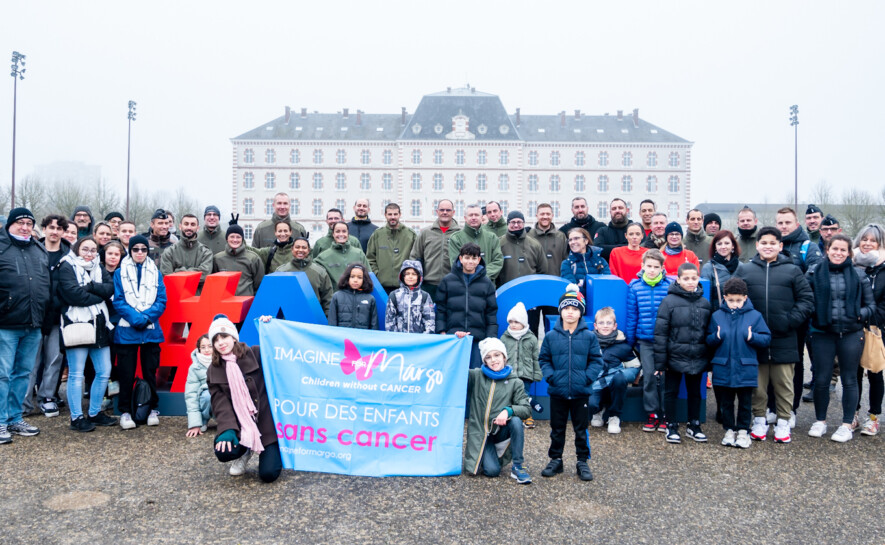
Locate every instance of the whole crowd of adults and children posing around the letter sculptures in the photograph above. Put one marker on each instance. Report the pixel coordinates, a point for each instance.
(91, 294)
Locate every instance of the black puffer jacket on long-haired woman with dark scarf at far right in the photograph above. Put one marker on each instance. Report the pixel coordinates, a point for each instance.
(840, 322)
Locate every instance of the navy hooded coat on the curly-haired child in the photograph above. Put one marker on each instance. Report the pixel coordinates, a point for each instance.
(736, 363)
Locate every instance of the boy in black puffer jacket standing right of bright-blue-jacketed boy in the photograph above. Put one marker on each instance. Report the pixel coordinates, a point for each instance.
(681, 350)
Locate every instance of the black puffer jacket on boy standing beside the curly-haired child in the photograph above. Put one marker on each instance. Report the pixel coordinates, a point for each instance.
(681, 331)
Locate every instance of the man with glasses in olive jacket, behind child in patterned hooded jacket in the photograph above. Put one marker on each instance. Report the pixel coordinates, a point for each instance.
(431, 247)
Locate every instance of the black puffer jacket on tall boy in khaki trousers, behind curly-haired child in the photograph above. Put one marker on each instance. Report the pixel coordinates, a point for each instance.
(781, 293)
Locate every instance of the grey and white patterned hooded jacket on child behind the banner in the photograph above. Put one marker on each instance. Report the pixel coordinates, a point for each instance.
(410, 310)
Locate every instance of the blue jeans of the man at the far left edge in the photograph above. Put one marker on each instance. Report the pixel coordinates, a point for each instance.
(18, 353)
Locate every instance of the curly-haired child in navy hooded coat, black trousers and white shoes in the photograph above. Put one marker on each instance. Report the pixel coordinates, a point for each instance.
(736, 332)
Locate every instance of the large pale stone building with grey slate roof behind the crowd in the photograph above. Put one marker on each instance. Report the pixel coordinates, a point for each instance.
(459, 144)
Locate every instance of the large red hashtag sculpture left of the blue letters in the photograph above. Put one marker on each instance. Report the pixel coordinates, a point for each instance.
(185, 307)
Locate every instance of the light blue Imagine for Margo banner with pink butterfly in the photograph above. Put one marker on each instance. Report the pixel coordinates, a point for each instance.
(369, 403)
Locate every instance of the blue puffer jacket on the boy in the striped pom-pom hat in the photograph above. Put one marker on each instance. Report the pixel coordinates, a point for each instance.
(570, 362)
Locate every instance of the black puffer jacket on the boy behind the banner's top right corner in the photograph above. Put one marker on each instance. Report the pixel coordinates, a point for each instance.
(467, 305)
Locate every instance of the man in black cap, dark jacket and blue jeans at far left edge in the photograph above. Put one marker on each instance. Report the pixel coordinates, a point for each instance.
(24, 296)
